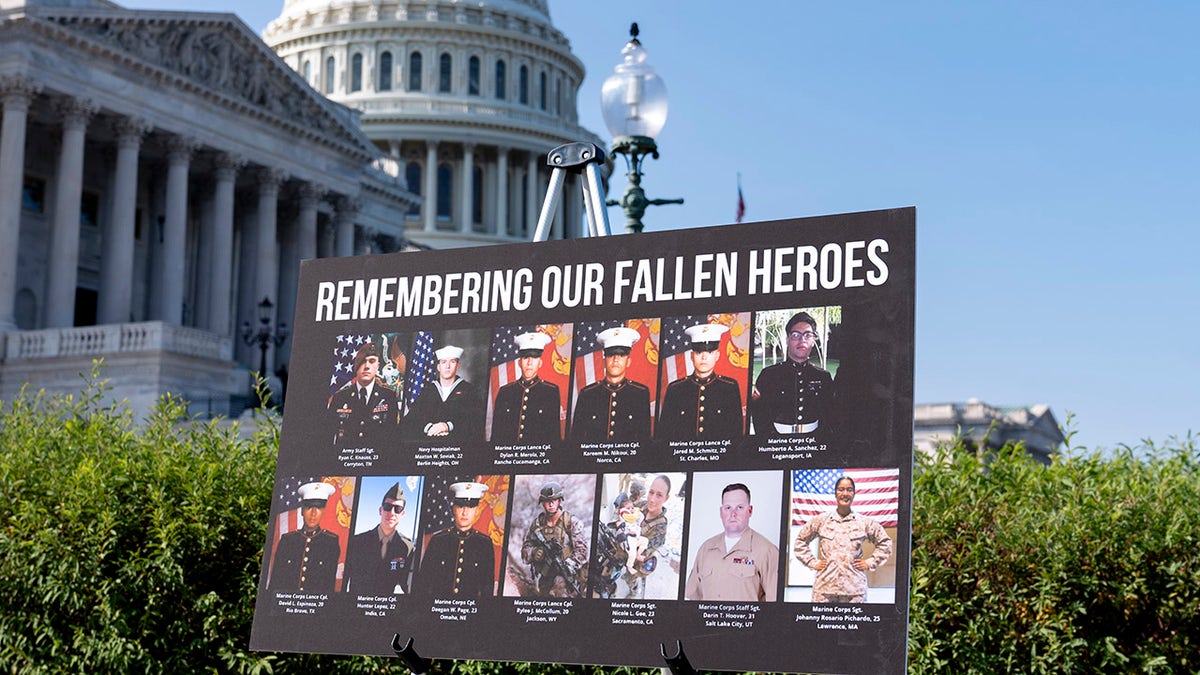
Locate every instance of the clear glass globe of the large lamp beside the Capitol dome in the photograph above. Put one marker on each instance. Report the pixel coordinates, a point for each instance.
(634, 99)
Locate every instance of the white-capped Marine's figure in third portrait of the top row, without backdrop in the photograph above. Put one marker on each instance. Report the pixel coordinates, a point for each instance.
(529, 411)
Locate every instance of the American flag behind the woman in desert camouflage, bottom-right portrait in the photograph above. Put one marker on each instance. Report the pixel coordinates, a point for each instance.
(877, 493)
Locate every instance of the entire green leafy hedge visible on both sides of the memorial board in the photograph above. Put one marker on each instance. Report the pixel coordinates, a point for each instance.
(136, 546)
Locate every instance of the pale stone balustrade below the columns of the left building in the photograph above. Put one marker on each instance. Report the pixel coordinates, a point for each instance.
(117, 338)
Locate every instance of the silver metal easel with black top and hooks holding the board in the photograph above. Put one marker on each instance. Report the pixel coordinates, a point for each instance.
(581, 159)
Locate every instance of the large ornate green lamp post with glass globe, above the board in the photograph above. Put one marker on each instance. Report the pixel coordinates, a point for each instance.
(634, 103)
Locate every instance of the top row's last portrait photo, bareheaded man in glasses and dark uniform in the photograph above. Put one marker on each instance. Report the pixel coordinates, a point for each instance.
(793, 398)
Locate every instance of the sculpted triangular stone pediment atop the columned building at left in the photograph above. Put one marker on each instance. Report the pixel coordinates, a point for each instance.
(219, 55)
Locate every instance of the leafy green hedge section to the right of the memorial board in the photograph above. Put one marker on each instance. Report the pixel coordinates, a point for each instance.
(1089, 565)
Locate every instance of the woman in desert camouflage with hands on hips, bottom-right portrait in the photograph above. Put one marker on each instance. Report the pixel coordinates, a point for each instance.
(842, 570)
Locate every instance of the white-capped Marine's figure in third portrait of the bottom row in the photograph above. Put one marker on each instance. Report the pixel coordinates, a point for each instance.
(461, 560)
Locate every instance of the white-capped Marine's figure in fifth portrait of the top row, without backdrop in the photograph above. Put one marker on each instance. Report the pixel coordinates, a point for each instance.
(703, 405)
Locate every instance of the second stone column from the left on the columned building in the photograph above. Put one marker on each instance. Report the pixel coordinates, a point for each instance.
(64, 264)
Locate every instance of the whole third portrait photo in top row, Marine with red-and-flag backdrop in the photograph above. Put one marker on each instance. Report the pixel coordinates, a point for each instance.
(527, 405)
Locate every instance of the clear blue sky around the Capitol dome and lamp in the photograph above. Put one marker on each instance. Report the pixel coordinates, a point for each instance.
(1052, 150)
